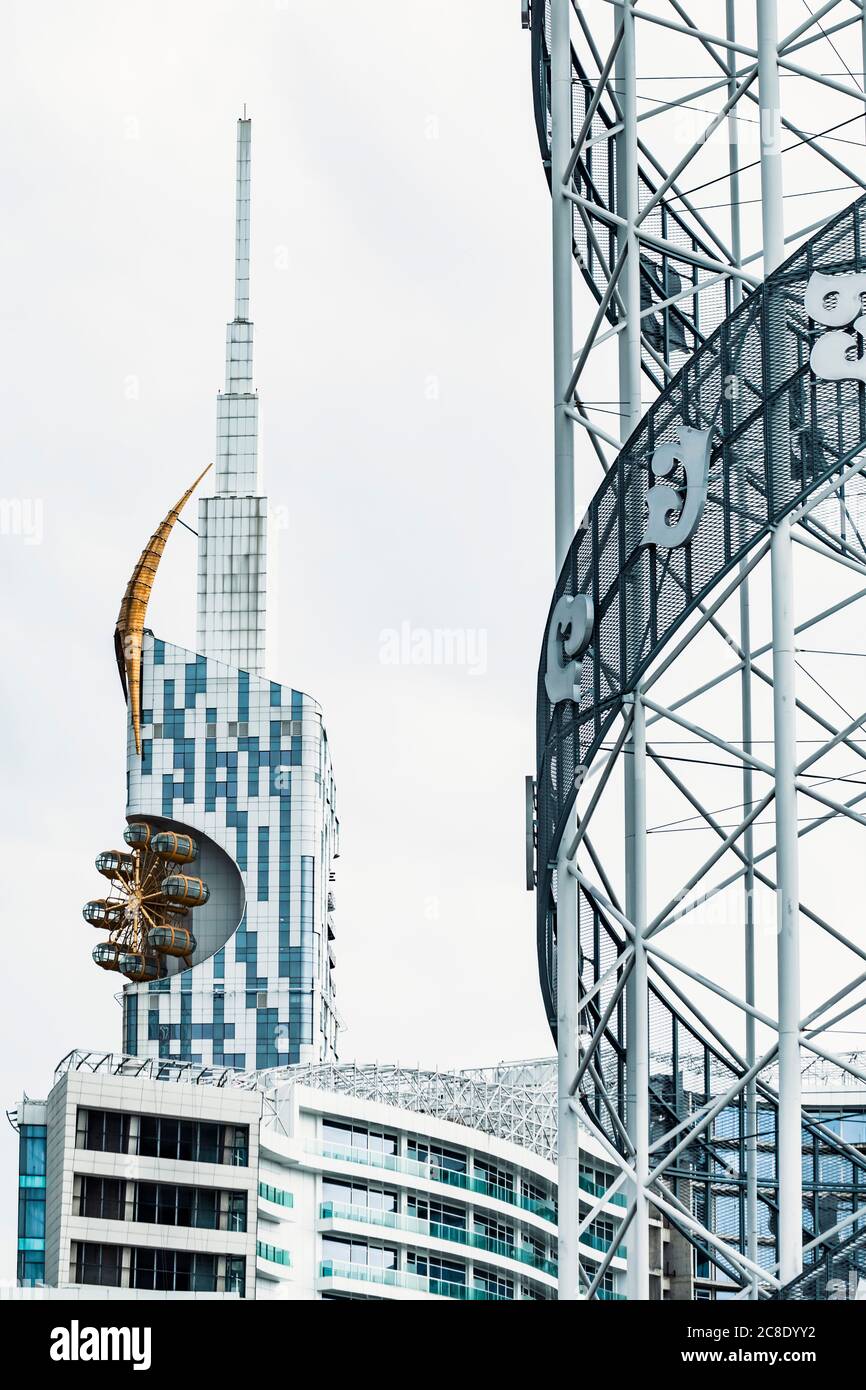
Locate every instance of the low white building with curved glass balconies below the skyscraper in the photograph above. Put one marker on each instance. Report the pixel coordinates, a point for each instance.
(311, 1184)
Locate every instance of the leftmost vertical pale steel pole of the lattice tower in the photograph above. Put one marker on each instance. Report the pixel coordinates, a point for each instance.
(562, 134)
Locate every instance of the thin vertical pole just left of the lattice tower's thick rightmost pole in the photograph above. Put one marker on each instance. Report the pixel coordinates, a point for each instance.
(746, 707)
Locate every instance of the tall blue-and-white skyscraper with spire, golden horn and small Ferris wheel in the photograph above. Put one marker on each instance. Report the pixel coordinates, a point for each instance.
(241, 764)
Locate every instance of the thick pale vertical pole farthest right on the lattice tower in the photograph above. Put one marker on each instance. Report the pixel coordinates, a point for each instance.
(785, 714)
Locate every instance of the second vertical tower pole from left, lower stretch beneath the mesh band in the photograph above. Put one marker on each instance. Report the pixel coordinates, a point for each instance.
(637, 1003)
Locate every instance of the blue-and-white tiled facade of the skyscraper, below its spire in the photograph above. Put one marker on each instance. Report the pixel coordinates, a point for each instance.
(244, 762)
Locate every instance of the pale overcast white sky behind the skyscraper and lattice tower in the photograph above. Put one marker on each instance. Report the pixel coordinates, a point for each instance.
(401, 297)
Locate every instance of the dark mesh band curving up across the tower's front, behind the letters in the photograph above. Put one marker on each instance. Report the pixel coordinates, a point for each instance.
(642, 594)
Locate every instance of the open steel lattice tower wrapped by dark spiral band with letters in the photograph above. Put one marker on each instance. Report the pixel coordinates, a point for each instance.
(698, 804)
